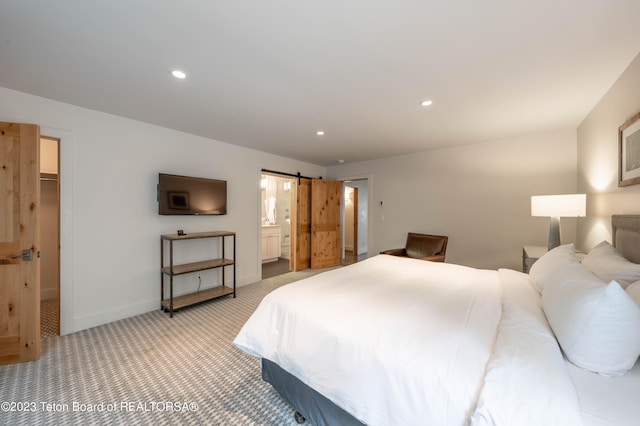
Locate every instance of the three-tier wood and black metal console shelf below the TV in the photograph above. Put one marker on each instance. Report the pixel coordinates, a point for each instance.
(171, 304)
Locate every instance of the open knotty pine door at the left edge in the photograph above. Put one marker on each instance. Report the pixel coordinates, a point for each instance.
(19, 243)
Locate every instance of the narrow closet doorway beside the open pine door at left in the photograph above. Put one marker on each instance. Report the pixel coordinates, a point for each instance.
(49, 237)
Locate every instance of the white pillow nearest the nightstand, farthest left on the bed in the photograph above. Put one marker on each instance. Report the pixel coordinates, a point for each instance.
(561, 258)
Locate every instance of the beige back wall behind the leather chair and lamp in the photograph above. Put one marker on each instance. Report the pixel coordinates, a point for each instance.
(478, 195)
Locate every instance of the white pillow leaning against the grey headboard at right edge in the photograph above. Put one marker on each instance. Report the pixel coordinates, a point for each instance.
(605, 261)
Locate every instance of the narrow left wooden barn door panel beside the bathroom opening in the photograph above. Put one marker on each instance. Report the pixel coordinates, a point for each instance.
(302, 236)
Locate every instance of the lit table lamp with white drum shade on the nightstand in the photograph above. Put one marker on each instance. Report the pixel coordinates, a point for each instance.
(555, 207)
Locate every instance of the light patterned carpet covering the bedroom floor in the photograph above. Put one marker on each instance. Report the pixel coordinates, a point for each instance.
(150, 369)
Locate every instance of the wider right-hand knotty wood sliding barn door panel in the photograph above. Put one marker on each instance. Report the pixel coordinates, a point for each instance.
(326, 237)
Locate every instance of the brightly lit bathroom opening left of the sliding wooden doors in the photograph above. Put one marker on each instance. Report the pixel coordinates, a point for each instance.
(276, 221)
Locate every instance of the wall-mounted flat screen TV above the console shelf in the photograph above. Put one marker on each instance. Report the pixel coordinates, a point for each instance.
(184, 195)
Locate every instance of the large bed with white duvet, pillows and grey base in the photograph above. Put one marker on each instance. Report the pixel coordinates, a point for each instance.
(402, 341)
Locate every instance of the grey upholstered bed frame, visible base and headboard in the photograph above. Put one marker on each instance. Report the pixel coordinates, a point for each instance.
(311, 405)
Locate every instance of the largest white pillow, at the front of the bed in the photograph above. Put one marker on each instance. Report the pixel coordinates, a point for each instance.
(596, 324)
